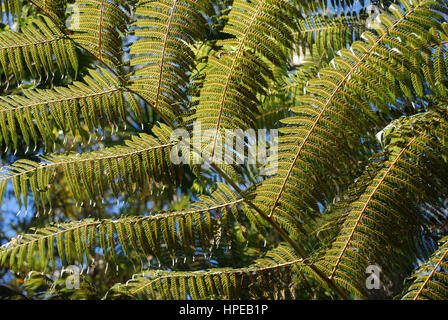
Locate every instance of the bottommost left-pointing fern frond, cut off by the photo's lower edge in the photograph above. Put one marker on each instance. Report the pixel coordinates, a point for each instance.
(268, 278)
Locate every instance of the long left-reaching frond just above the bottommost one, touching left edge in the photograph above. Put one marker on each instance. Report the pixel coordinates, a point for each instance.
(176, 234)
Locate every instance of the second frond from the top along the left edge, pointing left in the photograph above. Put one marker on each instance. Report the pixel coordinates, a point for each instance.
(97, 101)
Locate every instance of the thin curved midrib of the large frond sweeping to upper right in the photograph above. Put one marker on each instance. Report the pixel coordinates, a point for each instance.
(328, 103)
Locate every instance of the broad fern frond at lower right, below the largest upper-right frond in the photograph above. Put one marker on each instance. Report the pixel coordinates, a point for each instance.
(388, 209)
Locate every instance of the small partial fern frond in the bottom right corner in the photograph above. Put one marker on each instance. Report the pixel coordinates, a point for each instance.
(431, 279)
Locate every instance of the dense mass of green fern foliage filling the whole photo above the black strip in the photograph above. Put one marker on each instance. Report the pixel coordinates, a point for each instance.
(88, 113)
